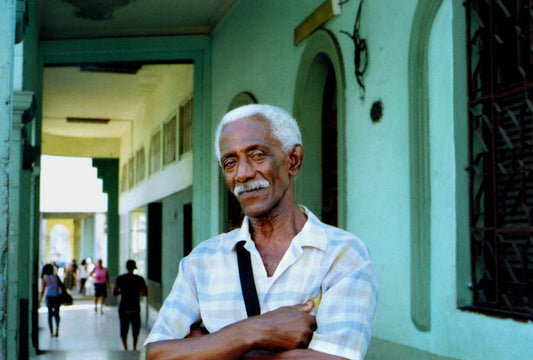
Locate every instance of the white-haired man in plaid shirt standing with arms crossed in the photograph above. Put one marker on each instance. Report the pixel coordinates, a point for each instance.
(315, 284)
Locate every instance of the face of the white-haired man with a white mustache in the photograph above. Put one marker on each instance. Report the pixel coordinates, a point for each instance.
(254, 167)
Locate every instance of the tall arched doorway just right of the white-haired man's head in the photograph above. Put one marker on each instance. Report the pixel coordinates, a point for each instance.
(320, 111)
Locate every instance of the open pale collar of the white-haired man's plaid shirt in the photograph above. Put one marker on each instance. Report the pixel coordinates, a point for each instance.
(312, 234)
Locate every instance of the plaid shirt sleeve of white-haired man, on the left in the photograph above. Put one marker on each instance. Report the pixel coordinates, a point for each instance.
(179, 311)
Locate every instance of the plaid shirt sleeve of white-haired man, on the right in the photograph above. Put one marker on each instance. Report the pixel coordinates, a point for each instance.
(346, 312)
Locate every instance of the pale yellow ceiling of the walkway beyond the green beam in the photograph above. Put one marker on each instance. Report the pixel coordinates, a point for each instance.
(89, 98)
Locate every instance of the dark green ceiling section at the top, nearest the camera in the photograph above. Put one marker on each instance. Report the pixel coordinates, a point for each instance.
(83, 19)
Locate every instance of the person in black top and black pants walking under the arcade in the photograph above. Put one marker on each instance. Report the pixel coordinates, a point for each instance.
(131, 287)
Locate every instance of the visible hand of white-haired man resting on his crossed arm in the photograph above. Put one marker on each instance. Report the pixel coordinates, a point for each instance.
(287, 328)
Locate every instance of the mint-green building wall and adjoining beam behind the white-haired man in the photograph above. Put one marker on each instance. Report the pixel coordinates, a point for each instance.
(252, 50)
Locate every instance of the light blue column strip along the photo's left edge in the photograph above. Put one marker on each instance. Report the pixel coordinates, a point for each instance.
(7, 53)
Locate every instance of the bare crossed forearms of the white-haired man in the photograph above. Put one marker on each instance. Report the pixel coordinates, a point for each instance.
(284, 333)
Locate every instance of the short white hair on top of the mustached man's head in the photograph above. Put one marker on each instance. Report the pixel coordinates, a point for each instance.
(283, 126)
